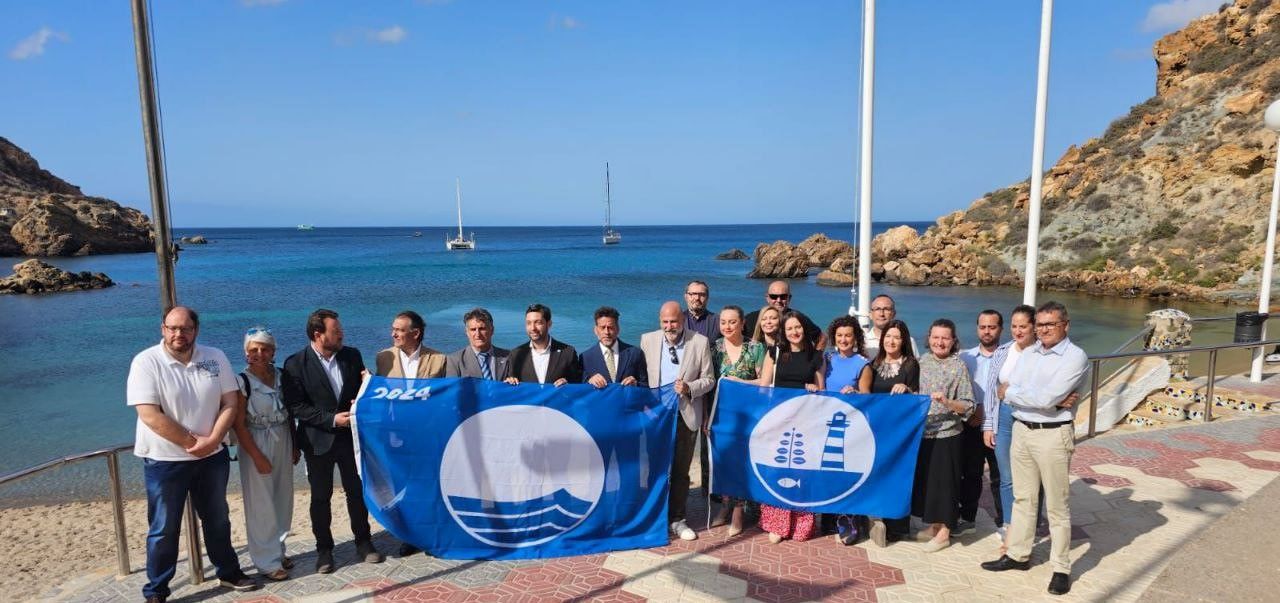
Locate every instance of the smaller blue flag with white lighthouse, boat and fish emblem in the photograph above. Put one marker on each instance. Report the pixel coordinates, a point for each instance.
(822, 453)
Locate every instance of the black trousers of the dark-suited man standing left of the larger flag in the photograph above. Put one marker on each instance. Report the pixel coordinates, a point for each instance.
(321, 468)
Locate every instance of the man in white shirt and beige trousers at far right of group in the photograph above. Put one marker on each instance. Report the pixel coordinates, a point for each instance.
(1046, 376)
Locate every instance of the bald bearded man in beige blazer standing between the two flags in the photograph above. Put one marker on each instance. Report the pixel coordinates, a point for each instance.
(678, 357)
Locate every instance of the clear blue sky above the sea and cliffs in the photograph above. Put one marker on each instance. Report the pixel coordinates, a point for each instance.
(335, 113)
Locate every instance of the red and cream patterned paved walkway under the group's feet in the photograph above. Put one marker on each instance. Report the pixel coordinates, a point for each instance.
(1136, 500)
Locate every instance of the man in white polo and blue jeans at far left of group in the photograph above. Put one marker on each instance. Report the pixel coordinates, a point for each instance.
(186, 400)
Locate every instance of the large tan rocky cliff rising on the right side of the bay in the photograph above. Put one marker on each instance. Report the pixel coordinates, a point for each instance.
(1171, 200)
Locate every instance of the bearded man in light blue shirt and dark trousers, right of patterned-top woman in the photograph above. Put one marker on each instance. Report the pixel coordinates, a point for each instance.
(981, 363)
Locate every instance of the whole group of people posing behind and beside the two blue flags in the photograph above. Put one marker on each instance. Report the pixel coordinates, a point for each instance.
(1005, 406)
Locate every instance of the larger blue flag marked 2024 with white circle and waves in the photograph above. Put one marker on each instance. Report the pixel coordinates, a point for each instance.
(469, 469)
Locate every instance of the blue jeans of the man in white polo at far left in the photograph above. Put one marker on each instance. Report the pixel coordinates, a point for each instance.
(168, 485)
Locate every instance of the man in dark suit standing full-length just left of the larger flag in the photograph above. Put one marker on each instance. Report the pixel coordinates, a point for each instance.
(319, 385)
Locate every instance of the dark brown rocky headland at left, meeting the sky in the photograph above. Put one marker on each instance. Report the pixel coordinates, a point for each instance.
(44, 216)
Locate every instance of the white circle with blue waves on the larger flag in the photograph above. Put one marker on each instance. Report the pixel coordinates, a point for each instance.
(520, 476)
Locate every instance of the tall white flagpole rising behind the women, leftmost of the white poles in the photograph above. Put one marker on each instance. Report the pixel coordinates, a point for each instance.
(865, 193)
